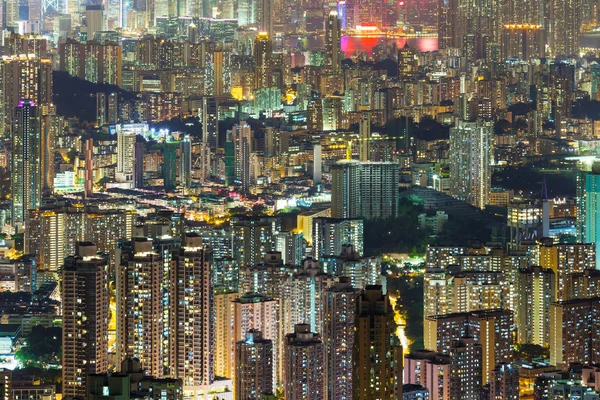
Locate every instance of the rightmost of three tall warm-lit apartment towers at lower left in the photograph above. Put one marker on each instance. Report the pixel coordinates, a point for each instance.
(191, 315)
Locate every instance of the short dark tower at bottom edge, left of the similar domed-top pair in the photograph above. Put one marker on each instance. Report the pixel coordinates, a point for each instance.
(254, 366)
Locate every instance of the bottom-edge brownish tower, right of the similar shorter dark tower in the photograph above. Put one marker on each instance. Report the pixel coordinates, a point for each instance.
(303, 364)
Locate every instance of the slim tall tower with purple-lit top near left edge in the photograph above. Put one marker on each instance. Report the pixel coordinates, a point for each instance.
(26, 165)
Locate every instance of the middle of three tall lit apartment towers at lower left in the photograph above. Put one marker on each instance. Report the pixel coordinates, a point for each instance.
(140, 324)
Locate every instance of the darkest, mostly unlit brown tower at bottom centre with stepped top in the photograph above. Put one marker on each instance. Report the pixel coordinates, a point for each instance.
(377, 359)
